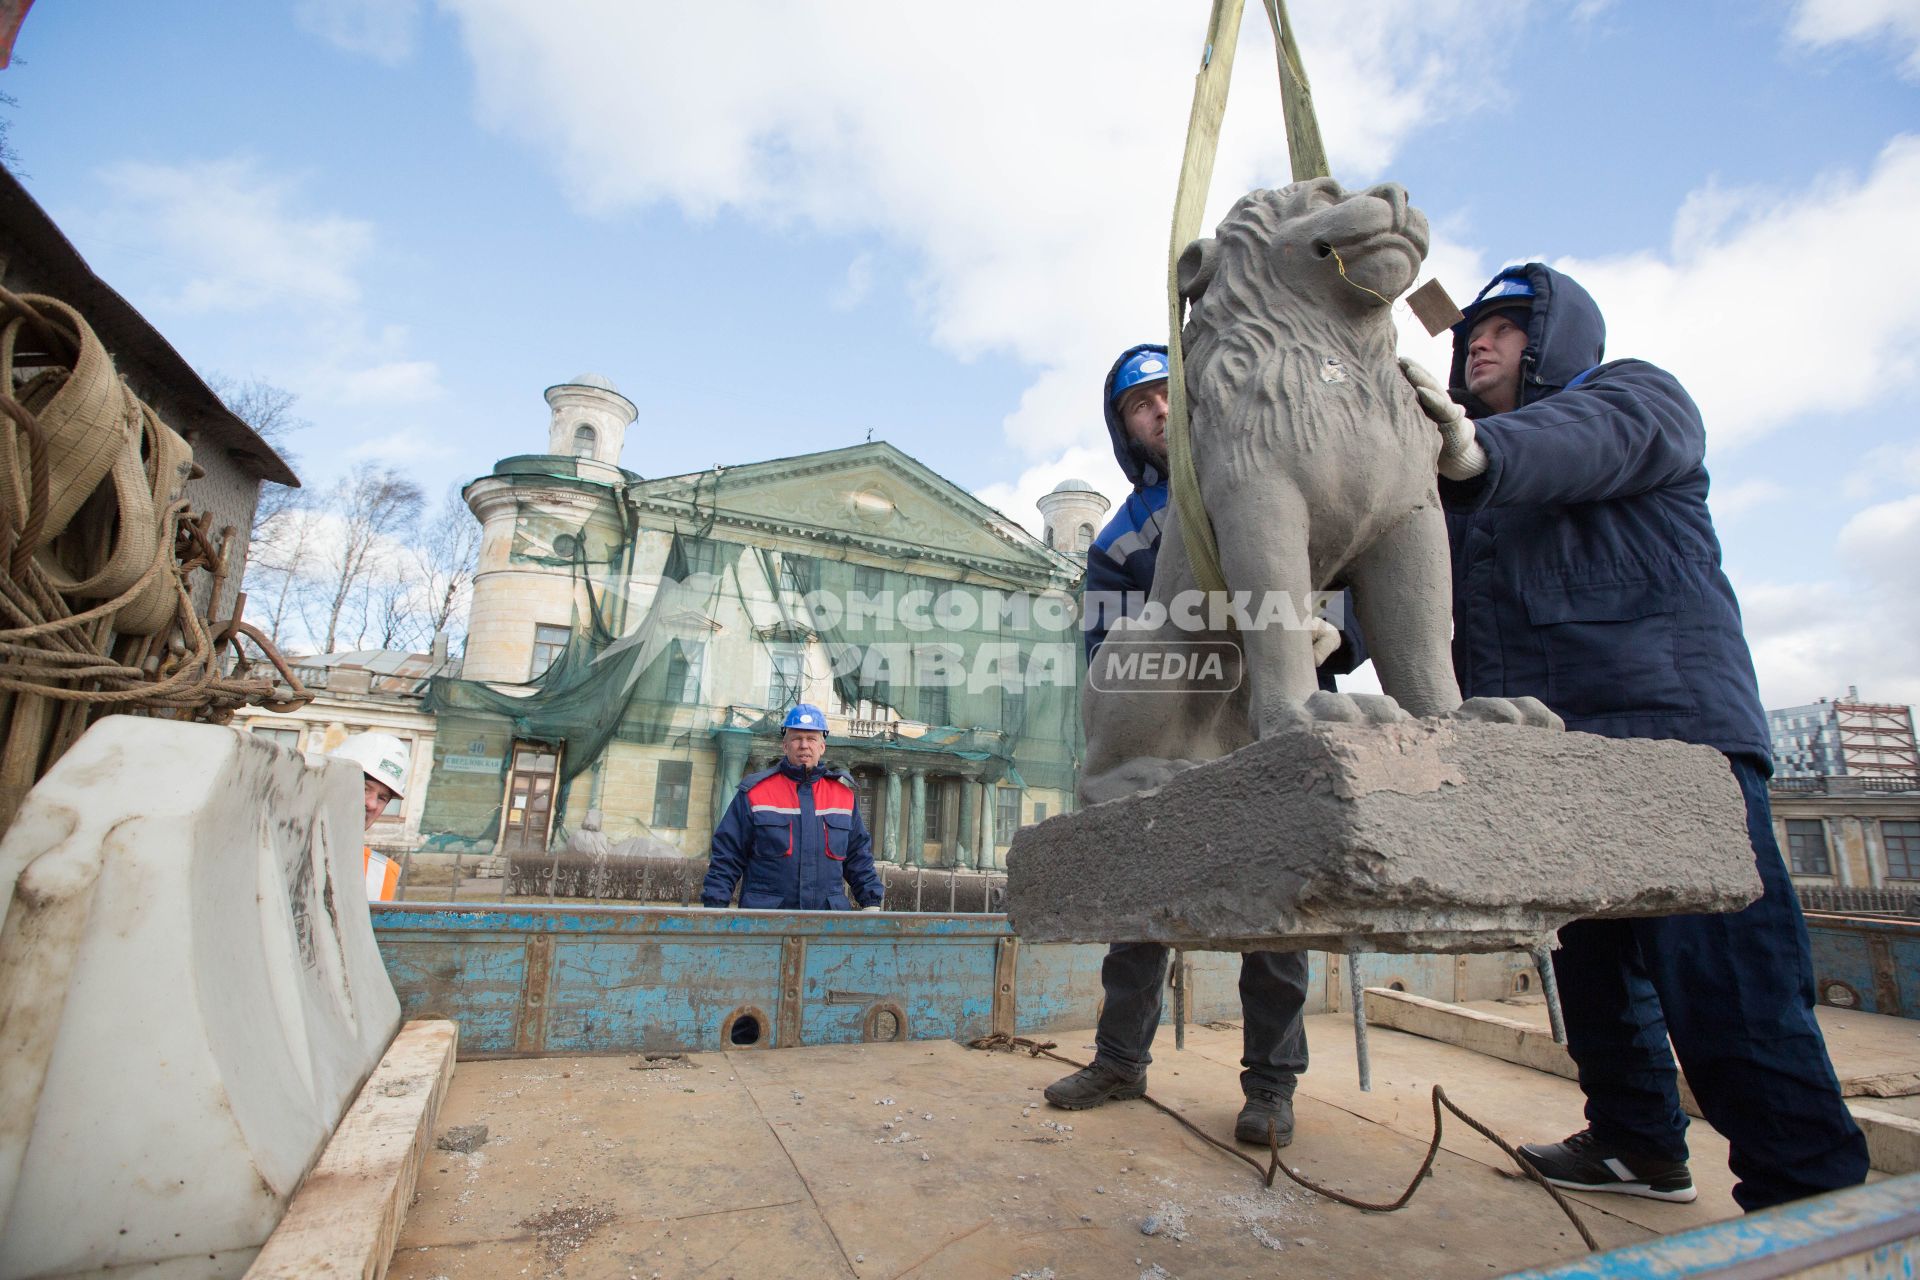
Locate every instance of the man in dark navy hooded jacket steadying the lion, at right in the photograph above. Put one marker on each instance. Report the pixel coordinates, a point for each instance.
(1587, 575)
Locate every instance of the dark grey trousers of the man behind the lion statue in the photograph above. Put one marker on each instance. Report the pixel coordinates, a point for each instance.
(1274, 989)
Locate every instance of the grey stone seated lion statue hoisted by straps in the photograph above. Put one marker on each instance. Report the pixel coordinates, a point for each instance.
(1316, 465)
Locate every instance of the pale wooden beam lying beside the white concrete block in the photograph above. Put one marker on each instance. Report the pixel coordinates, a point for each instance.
(347, 1216)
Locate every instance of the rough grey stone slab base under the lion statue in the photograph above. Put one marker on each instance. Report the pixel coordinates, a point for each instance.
(1426, 836)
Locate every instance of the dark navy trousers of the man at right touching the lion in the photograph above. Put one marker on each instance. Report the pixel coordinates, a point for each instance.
(1735, 995)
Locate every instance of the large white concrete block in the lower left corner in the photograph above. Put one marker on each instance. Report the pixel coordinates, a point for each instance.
(189, 999)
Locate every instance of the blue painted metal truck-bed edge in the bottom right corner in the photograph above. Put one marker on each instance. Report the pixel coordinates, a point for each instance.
(1781, 1243)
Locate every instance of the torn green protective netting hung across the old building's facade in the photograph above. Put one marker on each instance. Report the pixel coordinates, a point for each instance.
(992, 671)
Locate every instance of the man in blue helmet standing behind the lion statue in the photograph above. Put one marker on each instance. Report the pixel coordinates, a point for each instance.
(1120, 571)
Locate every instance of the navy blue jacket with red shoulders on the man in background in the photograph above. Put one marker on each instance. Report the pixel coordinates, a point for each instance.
(800, 843)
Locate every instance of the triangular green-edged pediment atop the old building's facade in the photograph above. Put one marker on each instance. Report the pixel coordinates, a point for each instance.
(869, 494)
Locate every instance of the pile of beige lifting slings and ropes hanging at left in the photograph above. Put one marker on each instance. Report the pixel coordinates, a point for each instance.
(97, 550)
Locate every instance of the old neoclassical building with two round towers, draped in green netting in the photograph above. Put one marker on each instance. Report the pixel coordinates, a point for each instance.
(635, 646)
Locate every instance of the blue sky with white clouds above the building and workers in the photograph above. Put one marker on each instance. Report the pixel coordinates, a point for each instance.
(780, 227)
